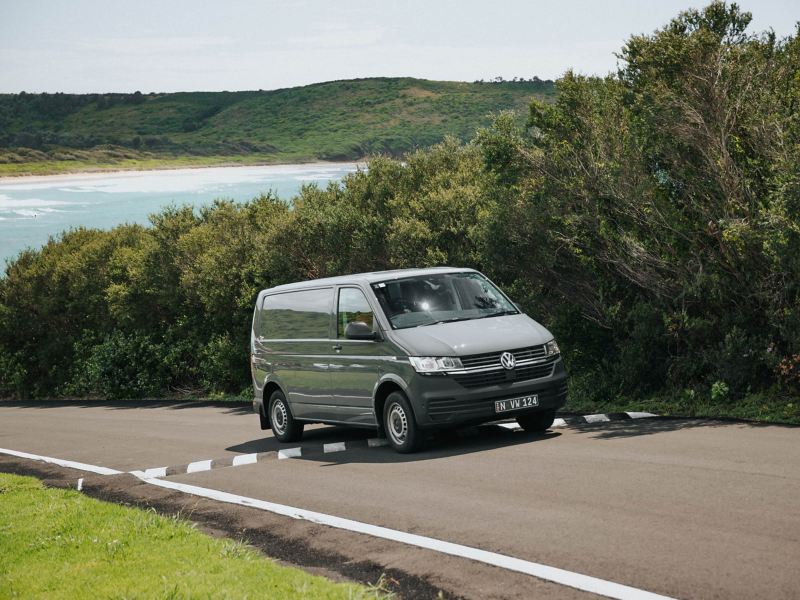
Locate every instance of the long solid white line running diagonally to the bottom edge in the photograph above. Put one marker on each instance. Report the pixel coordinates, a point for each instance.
(554, 574)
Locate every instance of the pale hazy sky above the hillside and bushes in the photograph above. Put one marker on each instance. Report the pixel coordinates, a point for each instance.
(83, 46)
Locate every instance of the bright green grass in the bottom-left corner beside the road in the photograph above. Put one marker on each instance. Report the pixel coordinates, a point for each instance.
(62, 544)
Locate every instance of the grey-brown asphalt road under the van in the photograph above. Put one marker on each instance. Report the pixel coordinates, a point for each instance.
(684, 508)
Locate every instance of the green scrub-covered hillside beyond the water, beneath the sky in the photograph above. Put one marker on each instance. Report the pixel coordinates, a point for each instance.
(339, 120)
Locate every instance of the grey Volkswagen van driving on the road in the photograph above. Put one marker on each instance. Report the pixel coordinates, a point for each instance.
(404, 351)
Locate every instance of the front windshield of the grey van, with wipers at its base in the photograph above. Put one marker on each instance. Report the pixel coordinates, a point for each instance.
(440, 298)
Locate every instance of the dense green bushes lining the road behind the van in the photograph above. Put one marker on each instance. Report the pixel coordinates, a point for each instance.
(651, 219)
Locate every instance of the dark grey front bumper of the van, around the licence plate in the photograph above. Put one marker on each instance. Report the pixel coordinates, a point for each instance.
(440, 401)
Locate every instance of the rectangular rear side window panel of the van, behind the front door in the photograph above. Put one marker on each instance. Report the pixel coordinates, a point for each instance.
(297, 315)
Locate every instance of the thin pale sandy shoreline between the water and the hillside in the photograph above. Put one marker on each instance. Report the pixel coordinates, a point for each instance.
(117, 170)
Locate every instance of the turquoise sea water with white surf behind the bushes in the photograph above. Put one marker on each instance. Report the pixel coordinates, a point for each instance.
(34, 208)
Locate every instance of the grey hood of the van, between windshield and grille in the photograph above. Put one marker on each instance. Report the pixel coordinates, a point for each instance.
(476, 336)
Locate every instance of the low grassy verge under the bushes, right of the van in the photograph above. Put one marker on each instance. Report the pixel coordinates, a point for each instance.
(766, 408)
